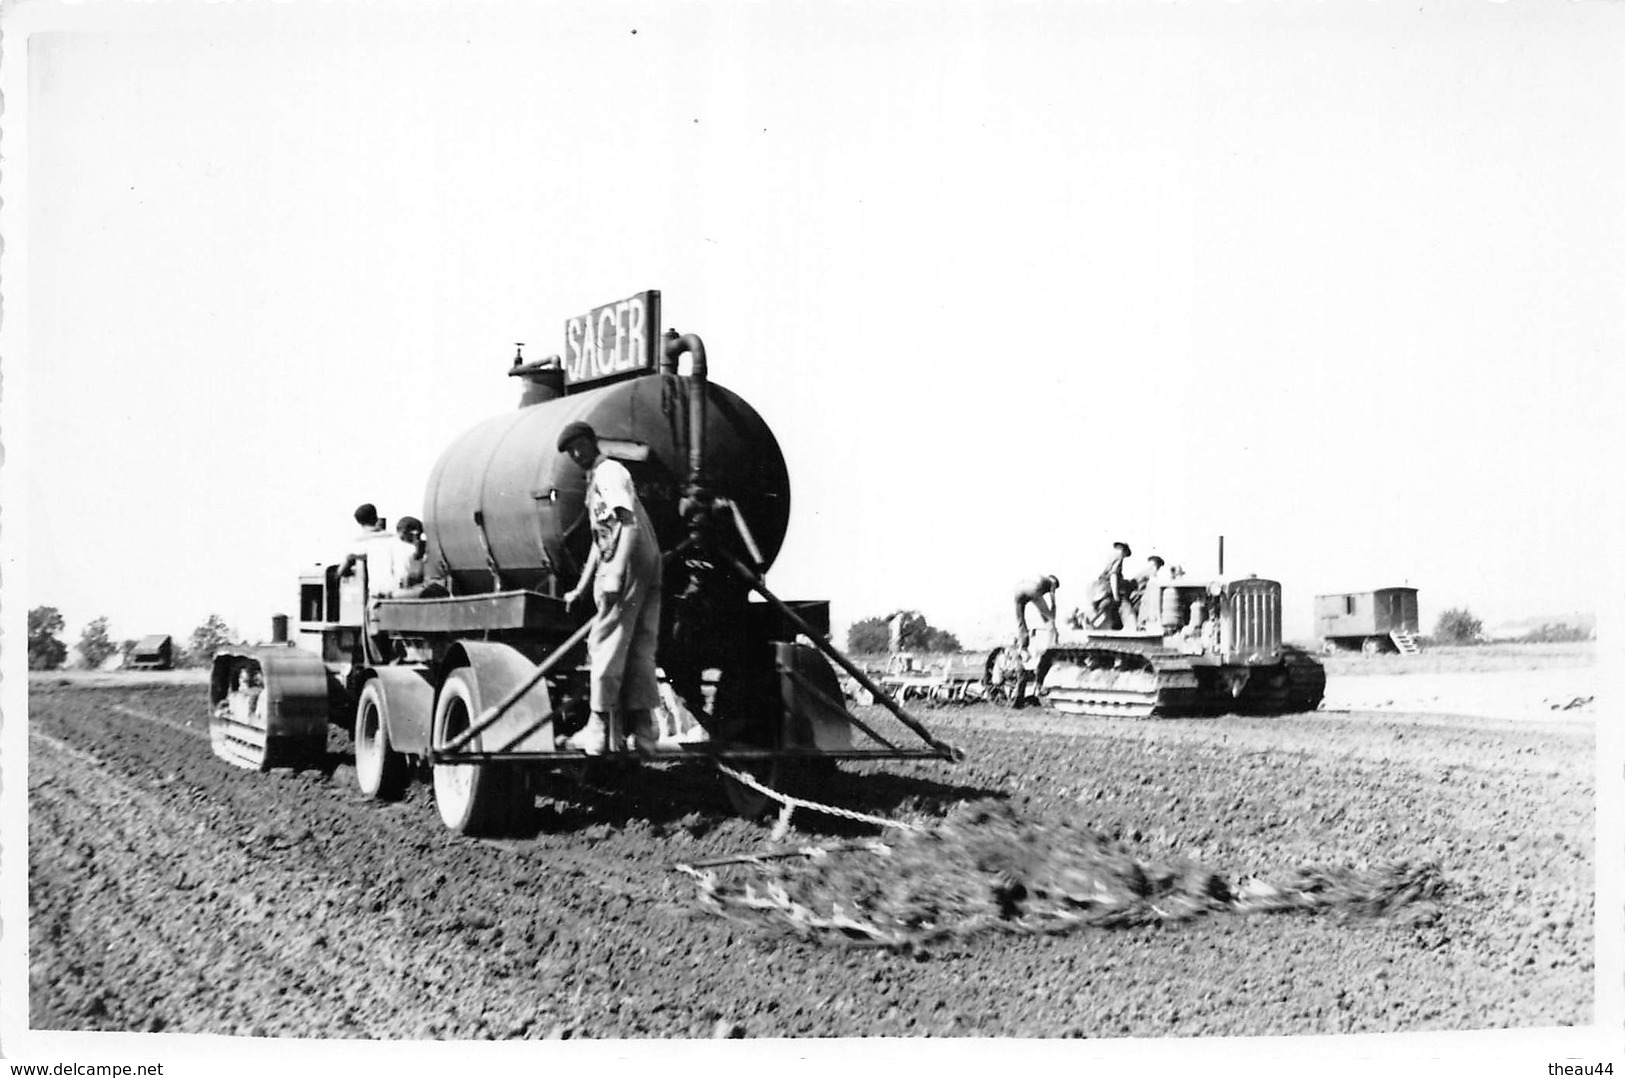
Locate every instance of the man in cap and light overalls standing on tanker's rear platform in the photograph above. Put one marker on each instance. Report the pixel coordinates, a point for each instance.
(623, 572)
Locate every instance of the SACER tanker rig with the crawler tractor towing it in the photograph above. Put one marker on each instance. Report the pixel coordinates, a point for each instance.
(479, 680)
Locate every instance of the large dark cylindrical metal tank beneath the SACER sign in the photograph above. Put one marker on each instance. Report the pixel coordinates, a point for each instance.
(505, 497)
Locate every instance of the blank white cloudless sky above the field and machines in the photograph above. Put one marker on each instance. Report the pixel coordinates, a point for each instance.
(1010, 282)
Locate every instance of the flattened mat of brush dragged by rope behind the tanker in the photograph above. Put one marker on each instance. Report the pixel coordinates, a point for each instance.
(935, 885)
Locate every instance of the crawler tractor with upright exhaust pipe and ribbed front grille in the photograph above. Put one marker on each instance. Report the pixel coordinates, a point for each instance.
(1200, 648)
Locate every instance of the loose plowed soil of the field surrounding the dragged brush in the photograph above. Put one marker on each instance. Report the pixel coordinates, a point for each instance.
(171, 892)
